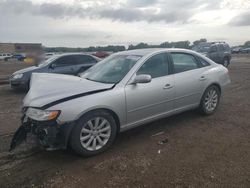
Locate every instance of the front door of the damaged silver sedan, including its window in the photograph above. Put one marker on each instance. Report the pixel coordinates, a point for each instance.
(148, 100)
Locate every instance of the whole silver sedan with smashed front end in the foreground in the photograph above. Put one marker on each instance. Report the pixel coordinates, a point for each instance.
(123, 91)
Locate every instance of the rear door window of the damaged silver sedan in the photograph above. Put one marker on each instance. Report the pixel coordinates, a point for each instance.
(184, 62)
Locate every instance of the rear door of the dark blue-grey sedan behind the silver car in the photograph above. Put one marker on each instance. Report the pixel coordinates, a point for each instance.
(83, 62)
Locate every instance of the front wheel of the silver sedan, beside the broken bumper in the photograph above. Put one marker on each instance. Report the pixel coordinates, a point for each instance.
(93, 133)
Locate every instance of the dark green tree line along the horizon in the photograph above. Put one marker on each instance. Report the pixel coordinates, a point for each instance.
(115, 48)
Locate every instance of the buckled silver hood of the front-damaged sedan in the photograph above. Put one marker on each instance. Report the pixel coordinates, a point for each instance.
(46, 88)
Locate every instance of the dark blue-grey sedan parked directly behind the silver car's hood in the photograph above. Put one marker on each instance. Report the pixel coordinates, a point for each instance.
(72, 64)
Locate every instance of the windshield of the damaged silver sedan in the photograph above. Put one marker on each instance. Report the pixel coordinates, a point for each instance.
(112, 69)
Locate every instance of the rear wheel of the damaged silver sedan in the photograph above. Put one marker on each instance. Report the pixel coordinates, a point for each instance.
(210, 100)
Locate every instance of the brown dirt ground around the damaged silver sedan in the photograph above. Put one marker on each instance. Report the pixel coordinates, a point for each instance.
(196, 151)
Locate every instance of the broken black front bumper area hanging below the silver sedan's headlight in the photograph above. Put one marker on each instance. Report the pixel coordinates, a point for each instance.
(50, 134)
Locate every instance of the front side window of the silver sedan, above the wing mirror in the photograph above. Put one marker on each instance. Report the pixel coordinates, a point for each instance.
(156, 66)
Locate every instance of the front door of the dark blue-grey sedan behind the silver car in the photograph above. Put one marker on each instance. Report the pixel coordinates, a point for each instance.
(63, 65)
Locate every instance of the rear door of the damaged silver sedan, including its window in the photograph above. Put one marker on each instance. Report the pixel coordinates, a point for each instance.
(190, 79)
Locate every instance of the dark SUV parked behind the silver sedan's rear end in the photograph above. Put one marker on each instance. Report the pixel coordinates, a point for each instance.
(219, 52)
